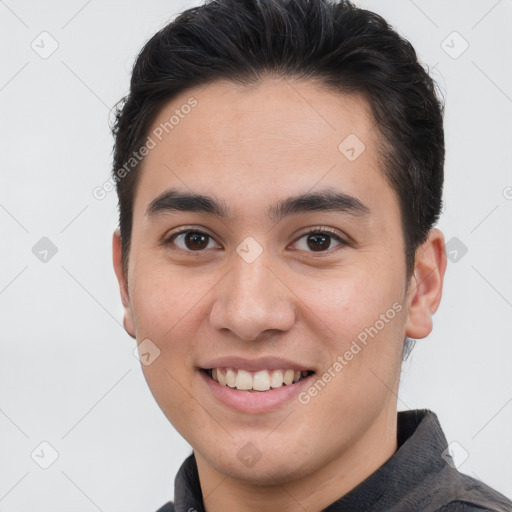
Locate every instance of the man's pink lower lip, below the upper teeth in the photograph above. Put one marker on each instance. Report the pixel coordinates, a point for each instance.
(256, 401)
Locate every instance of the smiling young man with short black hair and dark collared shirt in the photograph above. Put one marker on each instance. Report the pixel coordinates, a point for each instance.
(279, 166)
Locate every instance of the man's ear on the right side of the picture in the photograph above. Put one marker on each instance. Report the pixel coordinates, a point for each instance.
(426, 285)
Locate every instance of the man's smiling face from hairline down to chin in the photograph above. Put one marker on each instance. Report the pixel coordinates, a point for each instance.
(293, 260)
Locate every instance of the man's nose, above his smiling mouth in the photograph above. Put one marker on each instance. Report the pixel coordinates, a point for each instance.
(251, 301)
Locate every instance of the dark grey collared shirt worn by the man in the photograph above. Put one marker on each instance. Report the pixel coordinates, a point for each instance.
(419, 477)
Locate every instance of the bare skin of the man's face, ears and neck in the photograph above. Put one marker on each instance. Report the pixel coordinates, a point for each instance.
(251, 147)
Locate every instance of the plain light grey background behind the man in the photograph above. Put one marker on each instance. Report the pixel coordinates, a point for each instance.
(68, 374)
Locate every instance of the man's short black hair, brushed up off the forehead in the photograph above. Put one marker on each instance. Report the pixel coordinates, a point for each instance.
(347, 48)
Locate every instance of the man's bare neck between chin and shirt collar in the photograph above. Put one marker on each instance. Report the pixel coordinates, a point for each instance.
(314, 491)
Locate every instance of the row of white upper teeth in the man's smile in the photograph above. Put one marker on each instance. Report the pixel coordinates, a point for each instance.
(260, 381)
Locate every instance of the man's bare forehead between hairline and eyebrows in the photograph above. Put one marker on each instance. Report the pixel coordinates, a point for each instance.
(273, 138)
